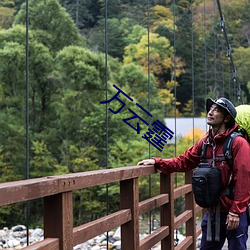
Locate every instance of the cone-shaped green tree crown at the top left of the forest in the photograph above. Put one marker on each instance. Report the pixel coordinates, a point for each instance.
(53, 25)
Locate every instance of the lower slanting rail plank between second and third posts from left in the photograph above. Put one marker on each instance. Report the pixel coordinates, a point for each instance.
(154, 238)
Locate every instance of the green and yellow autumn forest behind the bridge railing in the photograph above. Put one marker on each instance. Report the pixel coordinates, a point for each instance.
(167, 56)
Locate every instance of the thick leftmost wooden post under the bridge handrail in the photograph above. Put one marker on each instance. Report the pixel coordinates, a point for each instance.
(58, 219)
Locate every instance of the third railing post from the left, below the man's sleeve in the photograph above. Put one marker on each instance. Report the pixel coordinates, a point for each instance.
(167, 210)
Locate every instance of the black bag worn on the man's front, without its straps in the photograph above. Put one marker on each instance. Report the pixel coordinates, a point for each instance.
(206, 181)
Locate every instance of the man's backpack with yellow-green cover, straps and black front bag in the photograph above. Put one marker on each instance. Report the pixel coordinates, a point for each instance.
(206, 179)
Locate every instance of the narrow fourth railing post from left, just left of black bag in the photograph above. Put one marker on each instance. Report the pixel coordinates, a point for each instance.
(190, 205)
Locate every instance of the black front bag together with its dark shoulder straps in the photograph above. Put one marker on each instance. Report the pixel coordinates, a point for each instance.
(206, 179)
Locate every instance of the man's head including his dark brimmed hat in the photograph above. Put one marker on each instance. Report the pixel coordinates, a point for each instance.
(220, 111)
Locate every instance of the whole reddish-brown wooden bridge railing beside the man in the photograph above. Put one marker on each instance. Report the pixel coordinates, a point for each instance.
(59, 232)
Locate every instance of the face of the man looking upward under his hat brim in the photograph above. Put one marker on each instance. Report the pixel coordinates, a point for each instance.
(215, 116)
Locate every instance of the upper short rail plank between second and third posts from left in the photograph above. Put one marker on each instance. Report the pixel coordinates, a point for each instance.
(152, 203)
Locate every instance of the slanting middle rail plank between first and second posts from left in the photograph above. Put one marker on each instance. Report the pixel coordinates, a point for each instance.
(90, 230)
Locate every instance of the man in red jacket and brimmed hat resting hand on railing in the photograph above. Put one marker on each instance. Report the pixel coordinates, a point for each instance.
(221, 115)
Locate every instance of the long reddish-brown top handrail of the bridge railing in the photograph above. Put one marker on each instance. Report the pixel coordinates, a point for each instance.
(24, 190)
